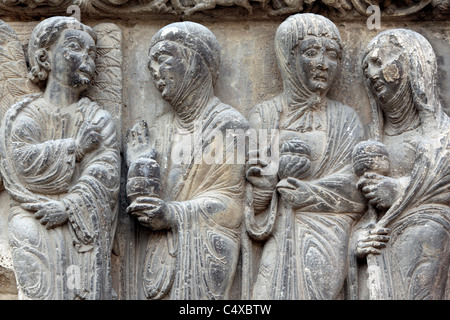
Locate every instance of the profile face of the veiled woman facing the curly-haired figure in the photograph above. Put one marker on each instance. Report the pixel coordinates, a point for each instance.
(168, 68)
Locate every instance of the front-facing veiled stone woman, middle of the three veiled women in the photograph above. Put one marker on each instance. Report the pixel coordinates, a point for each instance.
(303, 215)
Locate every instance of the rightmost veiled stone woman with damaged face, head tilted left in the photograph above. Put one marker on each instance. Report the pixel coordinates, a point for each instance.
(408, 239)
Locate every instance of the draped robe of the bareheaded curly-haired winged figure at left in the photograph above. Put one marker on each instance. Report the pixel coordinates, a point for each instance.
(71, 261)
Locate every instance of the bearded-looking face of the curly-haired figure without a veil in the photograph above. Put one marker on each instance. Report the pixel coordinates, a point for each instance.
(73, 58)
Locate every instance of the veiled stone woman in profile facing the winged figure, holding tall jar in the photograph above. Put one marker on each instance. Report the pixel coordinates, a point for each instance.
(191, 209)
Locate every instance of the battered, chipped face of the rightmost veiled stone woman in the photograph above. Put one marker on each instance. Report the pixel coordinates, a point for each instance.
(383, 66)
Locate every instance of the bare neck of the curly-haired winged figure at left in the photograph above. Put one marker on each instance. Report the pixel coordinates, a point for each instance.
(59, 94)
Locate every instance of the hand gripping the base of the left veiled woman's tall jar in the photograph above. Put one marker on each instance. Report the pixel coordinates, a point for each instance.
(151, 212)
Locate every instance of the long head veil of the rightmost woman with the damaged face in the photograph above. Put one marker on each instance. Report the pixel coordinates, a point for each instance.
(421, 71)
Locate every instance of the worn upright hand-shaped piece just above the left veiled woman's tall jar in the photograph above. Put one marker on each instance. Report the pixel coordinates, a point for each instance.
(138, 143)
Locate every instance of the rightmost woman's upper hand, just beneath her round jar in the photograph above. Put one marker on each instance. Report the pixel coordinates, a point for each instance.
(381, 191)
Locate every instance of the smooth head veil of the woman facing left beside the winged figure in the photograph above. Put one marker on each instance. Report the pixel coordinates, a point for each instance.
(201, 51)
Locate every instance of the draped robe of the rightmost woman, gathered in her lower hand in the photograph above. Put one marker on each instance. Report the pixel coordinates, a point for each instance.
(414, 264)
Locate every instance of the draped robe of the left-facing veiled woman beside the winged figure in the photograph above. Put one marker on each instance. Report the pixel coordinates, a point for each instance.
(196, 258)
